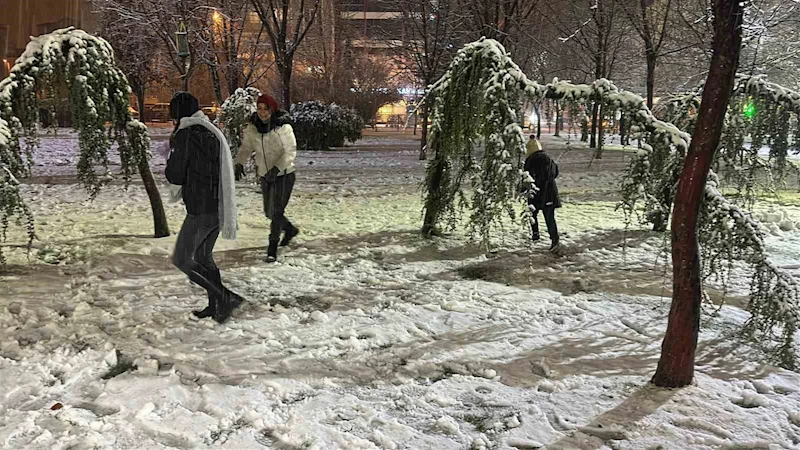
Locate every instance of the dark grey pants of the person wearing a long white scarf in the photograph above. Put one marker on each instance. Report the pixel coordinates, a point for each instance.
(193, 252)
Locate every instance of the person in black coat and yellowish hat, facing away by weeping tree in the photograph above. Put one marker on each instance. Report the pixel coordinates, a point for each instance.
(544, 196)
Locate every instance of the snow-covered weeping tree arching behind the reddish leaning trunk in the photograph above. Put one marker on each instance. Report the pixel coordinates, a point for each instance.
(477, 106)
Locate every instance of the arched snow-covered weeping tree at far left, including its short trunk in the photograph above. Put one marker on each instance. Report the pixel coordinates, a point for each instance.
(98, 93)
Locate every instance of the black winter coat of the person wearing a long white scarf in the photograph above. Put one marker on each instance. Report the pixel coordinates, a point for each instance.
(194, 164)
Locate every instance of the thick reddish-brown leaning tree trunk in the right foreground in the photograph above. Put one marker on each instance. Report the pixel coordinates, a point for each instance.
(676, 366)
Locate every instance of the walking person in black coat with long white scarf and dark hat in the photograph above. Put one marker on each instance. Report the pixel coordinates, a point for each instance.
(200, 163)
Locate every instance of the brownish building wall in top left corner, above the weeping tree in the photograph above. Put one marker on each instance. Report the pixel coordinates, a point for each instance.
(21, 19)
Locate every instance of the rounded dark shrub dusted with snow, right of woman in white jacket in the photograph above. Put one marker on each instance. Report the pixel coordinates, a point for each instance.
(320, 127)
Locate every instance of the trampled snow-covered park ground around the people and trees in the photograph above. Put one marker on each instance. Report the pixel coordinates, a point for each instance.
(365, 335)
